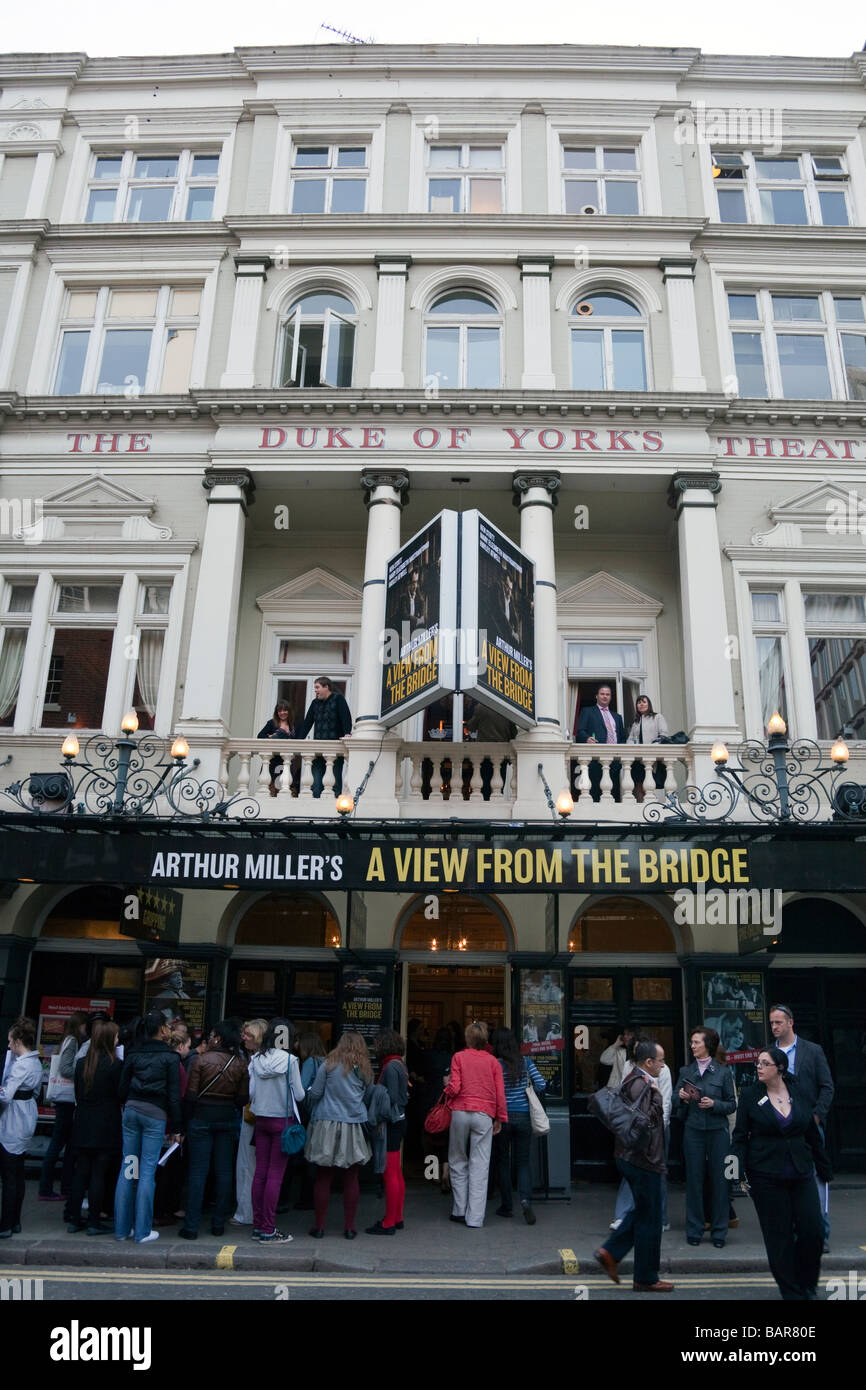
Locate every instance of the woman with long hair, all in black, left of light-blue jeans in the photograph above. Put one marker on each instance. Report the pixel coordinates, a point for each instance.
(97, 1131)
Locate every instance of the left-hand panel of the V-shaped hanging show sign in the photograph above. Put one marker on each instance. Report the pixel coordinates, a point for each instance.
(419, 641)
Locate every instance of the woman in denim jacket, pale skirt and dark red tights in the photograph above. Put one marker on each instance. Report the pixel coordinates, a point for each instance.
(337, 1132)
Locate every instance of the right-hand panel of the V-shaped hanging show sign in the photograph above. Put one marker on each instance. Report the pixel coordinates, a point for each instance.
(497, 614)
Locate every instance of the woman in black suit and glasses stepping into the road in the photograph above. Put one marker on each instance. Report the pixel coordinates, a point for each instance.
(779, 1147)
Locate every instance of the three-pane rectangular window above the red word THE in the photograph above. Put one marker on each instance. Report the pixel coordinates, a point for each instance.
(127, 341)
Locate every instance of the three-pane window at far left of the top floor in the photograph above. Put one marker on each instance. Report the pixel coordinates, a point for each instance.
(152, 188)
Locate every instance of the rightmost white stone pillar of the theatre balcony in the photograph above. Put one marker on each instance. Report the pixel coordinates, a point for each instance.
(707, 653)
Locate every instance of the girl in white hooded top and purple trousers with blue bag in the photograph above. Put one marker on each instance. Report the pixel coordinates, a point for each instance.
(273, 1070)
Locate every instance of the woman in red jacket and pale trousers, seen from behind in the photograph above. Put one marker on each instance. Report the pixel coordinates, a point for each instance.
(476, 1092)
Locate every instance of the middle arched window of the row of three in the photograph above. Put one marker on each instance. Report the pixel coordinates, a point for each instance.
(464, 343)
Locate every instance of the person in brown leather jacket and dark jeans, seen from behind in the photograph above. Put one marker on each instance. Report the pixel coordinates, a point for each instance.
(218, 1089)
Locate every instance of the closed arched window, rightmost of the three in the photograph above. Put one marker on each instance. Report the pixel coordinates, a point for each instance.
(608, 344)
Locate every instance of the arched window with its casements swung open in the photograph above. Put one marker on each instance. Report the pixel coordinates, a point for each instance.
(319, 341)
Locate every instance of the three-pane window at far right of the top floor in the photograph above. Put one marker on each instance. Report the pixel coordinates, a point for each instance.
(790, 190)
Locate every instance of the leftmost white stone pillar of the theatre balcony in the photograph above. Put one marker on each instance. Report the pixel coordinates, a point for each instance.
(211, 662)
